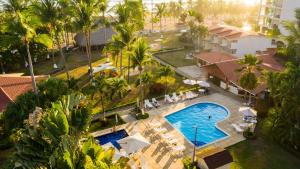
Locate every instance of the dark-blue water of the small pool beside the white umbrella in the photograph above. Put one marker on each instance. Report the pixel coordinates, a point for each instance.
(113, 138)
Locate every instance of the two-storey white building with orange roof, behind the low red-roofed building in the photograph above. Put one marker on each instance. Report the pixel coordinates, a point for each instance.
(235, 41)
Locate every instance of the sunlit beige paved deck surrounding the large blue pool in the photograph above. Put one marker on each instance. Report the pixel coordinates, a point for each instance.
(157, 155)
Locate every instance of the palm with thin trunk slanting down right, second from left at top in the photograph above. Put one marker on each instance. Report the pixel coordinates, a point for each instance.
(49, 13)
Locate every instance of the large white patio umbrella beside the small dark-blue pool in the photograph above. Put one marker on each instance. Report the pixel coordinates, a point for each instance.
(134, 143)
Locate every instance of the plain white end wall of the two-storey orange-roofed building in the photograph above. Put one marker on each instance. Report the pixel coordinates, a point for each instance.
(251, 44)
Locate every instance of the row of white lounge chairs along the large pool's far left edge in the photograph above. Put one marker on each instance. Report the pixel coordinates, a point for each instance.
(170, 99)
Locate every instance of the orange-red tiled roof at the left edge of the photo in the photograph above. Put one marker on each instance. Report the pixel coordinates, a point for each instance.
(12, 86)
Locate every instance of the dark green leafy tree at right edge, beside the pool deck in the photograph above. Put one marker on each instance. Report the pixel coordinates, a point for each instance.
(285, 115)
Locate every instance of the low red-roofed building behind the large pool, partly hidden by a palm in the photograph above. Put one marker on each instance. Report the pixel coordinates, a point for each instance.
(221, 70)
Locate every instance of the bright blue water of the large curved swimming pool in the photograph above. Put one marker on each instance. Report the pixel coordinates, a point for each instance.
(198, 115)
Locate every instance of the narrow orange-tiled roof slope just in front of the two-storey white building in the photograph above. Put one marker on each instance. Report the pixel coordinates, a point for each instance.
(214, 57)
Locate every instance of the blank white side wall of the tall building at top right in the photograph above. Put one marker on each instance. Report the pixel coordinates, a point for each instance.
(288, 12)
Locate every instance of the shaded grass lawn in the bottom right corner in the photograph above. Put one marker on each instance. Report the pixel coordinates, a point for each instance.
(262, 153)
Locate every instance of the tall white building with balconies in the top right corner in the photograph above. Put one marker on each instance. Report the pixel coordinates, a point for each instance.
(273, 12)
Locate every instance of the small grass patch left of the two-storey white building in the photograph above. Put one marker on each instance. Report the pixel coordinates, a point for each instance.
(177, 58)
